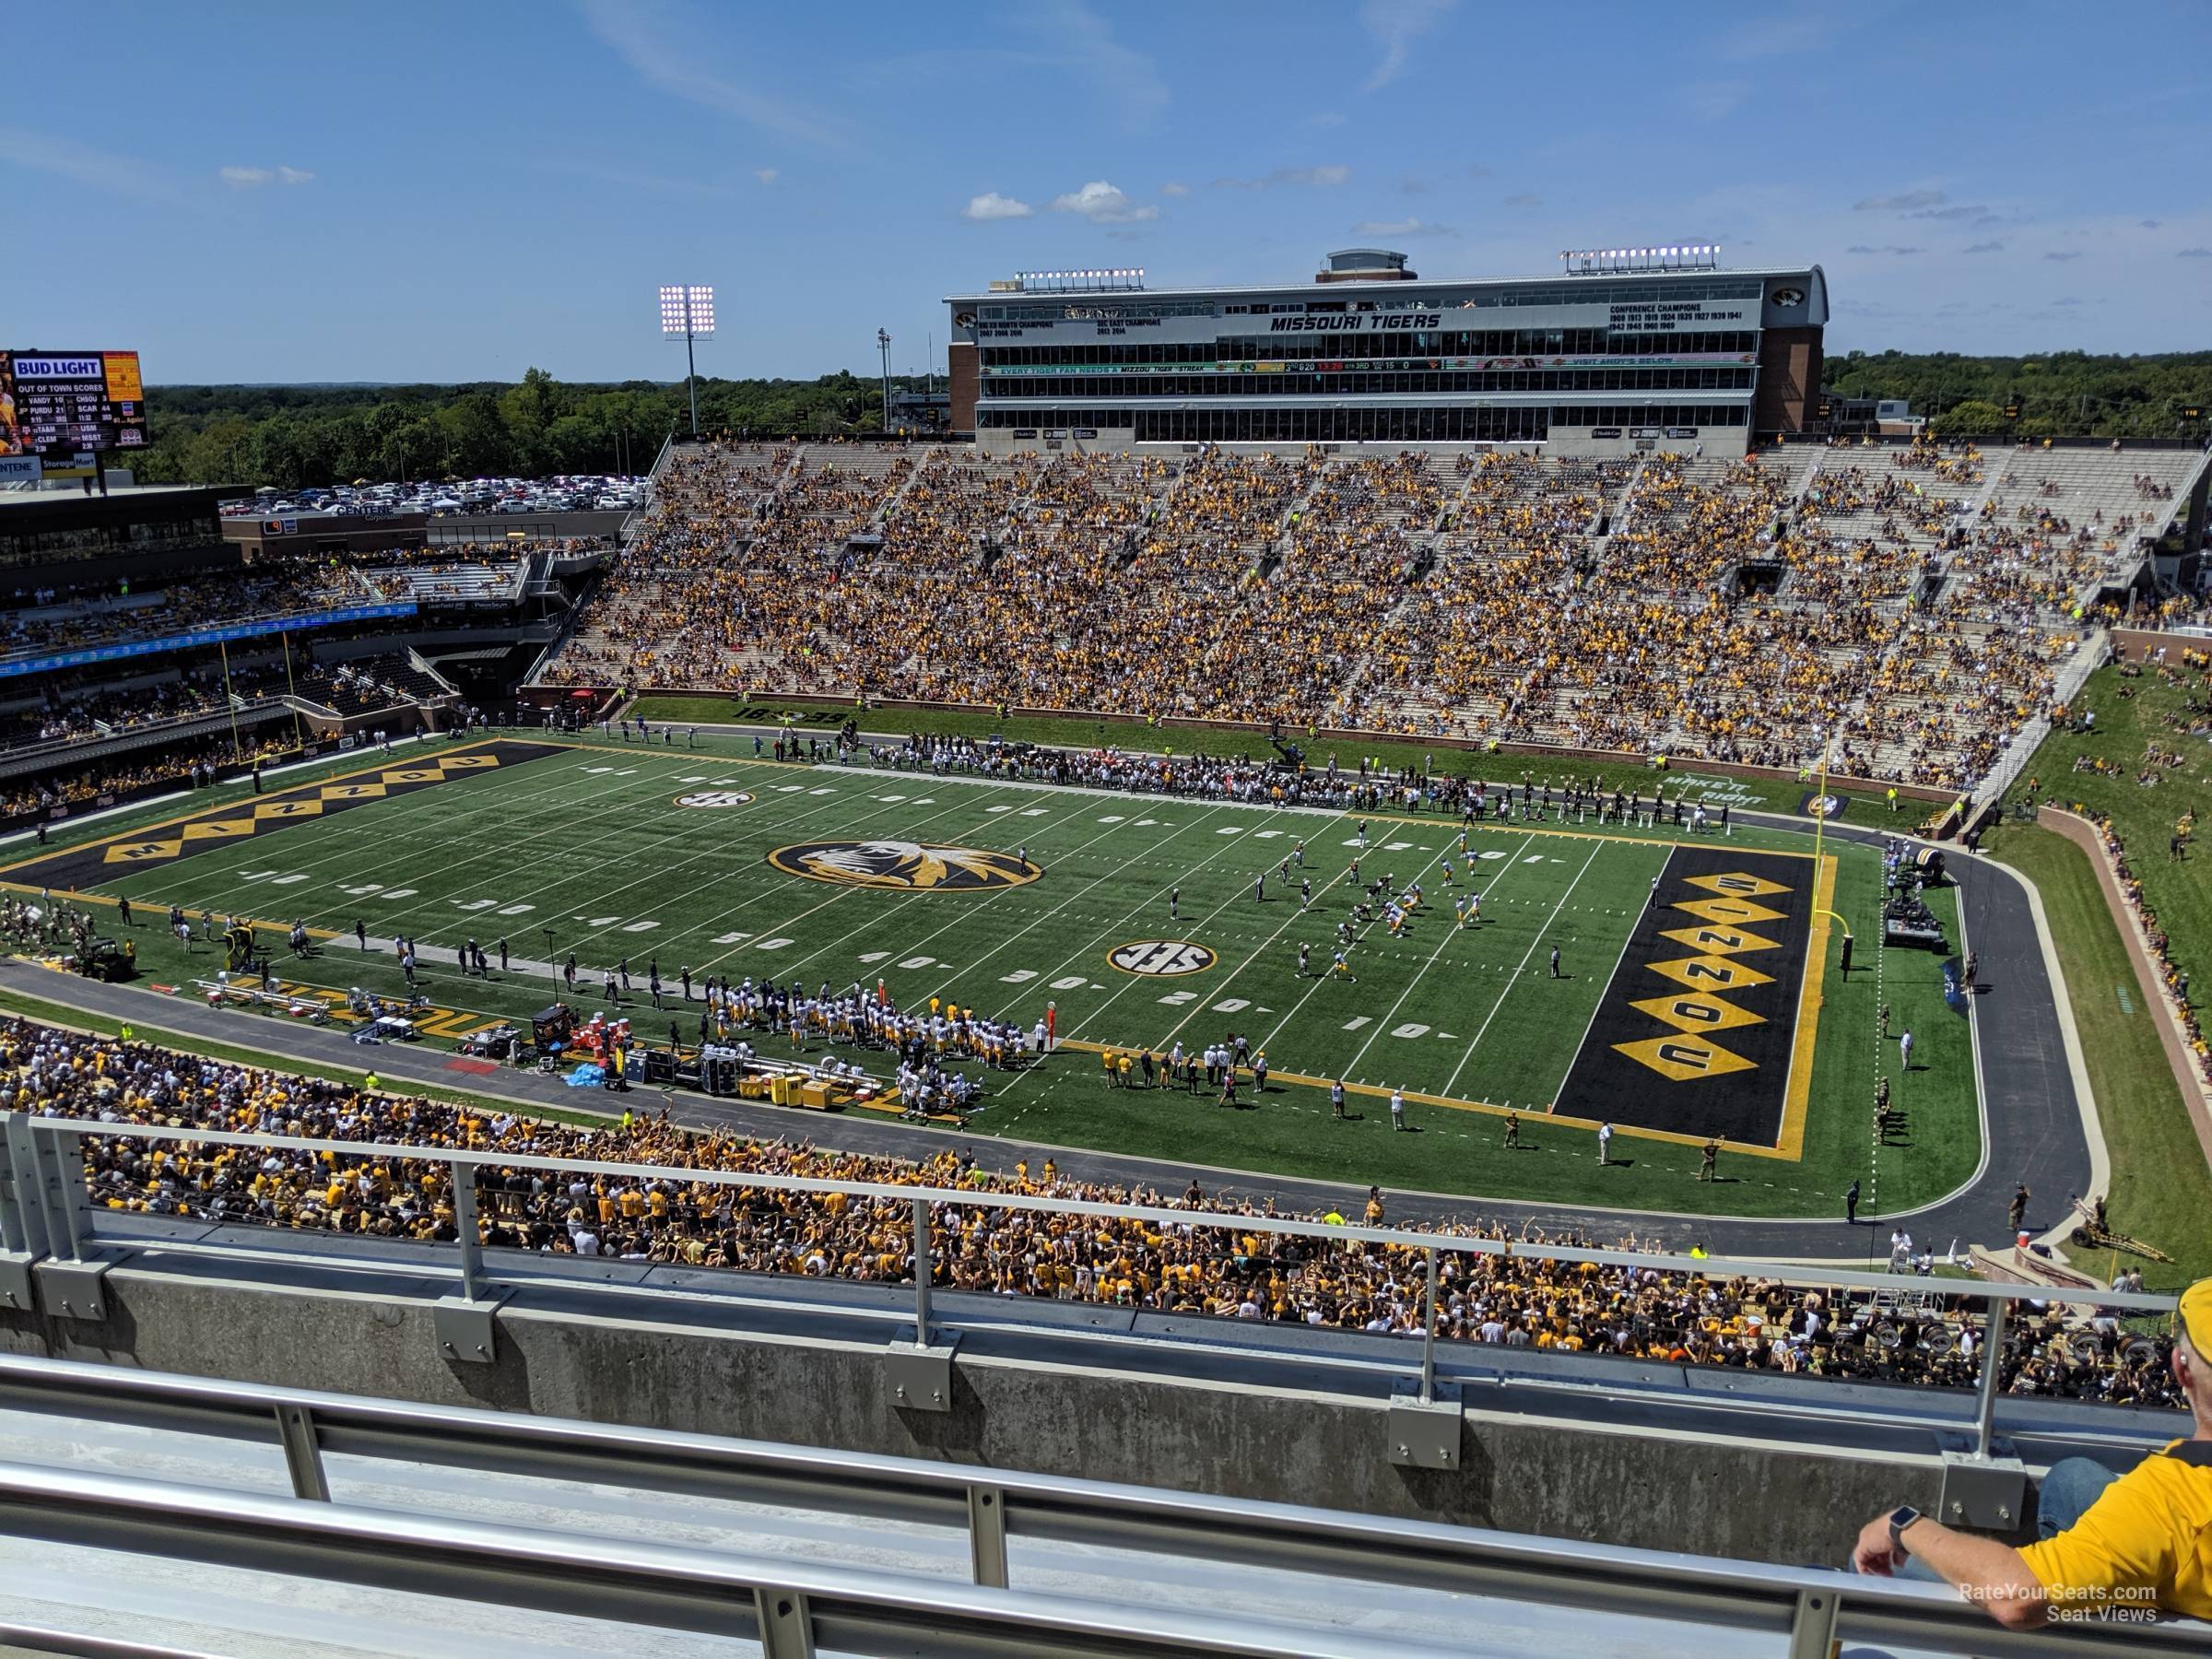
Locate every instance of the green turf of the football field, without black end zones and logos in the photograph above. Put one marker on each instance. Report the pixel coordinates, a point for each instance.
(592, 846)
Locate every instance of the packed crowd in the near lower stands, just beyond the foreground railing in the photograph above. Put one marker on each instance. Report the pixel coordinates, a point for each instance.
(1211, 1264)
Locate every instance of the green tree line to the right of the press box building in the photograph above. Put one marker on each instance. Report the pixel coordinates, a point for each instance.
(2060, 395)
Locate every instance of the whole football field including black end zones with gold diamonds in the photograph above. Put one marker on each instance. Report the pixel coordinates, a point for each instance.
(1676, 985)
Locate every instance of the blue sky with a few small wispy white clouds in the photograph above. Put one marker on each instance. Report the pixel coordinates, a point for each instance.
(408, 191)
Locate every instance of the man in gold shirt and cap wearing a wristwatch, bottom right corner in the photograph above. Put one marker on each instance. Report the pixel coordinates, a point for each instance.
(2107, 1545)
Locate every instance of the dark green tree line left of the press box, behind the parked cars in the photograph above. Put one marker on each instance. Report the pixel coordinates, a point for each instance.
(333, 435)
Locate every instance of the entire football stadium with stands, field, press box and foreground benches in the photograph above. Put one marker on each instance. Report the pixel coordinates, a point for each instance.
(1390, 957)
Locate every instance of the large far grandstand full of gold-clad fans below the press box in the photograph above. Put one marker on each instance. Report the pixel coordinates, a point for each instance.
(1901, 603)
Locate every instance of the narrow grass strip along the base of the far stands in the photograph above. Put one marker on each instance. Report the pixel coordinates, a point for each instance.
(1078, 731)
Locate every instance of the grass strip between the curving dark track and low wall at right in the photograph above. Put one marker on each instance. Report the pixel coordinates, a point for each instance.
(2160, 1185)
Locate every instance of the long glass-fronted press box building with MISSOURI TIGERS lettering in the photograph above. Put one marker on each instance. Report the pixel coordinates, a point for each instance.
(1609, 357)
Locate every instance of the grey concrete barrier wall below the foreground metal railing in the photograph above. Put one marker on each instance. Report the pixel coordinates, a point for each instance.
(1623, 1485)
